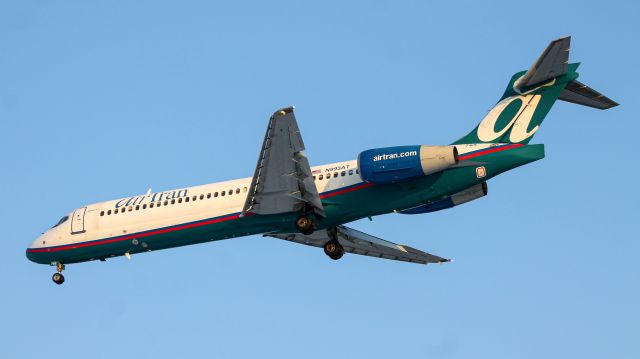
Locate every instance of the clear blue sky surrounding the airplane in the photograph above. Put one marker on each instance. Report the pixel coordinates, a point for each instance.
(100, 100)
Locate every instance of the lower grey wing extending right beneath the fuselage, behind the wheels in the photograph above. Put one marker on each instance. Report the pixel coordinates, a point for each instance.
(361, 243)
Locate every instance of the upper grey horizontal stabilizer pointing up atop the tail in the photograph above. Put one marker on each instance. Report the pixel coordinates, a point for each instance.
(552, 63)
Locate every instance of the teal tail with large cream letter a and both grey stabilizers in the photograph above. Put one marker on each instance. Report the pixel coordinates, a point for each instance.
(531, 94)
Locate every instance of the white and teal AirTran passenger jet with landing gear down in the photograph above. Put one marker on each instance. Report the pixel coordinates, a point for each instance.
(288, 199)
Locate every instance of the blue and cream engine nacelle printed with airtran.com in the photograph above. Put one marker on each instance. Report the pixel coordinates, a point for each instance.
(402, 163)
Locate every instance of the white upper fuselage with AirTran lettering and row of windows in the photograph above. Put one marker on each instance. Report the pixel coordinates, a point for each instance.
(169, 208)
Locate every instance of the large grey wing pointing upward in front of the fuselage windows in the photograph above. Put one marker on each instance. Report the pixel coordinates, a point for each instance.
(282, 181)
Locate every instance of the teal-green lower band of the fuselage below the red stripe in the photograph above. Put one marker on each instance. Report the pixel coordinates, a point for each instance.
(341, 208)
